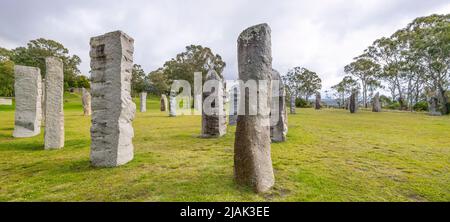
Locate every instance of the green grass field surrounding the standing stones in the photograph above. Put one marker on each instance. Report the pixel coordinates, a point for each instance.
(331, 155)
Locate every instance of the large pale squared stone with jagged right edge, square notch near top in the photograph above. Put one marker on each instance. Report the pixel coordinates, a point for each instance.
(113, 109)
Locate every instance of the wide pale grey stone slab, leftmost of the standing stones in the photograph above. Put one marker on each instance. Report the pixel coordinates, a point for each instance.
(28, 113)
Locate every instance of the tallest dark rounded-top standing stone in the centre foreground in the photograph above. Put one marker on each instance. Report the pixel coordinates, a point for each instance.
(252, 160)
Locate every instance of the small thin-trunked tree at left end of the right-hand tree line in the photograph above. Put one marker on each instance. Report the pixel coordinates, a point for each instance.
(366, 70)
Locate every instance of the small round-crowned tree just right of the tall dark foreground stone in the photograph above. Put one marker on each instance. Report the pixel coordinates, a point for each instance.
(302, 82)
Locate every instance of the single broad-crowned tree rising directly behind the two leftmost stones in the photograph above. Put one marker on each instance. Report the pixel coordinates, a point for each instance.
(36, 51)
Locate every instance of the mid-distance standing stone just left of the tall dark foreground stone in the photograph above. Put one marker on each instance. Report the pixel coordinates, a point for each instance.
(214, 120)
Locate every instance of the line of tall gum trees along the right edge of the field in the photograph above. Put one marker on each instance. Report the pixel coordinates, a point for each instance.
(412, 64)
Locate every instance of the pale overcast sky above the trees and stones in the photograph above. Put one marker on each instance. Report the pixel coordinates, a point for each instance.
(321, 35)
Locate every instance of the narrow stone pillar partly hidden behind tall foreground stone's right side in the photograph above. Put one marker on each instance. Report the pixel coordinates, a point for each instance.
(278, 122)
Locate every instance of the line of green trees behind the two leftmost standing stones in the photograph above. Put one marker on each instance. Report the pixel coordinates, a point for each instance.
(34, 54)
